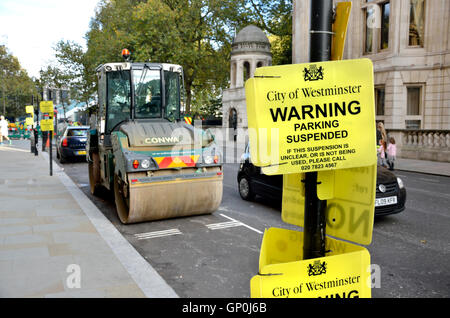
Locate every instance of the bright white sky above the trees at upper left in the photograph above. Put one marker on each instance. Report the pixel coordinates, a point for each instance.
(30, 29)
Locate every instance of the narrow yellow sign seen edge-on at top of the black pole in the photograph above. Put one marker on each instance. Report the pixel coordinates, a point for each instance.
(340, 24)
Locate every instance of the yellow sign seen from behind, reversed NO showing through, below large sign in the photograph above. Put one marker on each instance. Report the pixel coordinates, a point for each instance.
(350, 195)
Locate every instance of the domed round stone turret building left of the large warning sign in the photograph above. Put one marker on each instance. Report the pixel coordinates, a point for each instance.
(250, 49)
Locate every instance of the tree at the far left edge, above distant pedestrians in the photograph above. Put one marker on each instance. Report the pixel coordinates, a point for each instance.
(16, 87)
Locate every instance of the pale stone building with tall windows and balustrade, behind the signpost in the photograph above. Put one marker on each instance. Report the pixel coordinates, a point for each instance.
(409, 44)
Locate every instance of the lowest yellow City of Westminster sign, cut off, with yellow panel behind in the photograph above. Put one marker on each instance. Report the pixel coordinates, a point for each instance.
(343, 273)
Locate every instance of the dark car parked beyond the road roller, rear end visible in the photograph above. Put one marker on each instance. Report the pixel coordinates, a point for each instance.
(72, 143)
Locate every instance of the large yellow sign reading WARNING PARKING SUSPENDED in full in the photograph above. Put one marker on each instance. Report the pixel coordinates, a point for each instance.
(312, 117)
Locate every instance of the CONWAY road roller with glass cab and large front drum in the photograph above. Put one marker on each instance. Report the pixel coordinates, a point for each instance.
(157, 166)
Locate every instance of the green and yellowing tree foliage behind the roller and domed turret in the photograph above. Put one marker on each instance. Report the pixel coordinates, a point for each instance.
(196, 34)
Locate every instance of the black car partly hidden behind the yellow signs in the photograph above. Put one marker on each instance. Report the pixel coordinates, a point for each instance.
(390, 192)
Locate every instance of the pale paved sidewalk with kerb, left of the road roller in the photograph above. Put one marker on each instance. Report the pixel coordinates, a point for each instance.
(50, 232)
